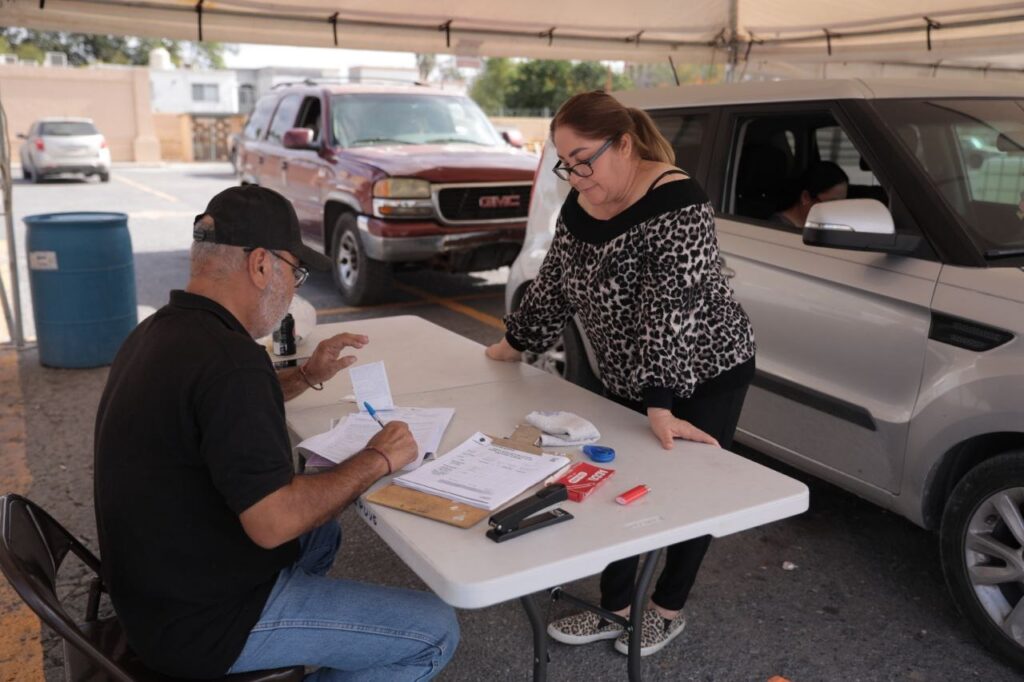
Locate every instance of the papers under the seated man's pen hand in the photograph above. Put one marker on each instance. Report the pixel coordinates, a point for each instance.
(353, 434)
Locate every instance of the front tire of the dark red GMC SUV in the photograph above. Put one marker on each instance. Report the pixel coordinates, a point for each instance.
(361, 280)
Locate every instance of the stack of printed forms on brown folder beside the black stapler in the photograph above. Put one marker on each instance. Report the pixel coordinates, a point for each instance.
(483, 475)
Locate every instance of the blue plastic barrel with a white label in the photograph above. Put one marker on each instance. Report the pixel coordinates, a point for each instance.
(82, 278)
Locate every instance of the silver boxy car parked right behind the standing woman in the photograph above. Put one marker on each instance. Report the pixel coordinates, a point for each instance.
(889, 329)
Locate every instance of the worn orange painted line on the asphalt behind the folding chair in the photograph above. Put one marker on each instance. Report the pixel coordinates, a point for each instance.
(20, 631)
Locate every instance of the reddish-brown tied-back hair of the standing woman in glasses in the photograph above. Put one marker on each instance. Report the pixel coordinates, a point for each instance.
(600, 116)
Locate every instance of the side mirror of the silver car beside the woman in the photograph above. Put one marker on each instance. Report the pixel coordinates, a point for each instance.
(858, 225)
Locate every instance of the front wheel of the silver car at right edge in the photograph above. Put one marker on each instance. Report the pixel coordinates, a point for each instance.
(983, 543)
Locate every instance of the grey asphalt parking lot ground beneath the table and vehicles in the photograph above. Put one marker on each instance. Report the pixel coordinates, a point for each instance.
(843, 592)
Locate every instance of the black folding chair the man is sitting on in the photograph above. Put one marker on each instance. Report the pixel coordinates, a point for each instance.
(33, 546)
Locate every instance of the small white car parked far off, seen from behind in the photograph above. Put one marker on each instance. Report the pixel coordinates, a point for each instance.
(54, 147)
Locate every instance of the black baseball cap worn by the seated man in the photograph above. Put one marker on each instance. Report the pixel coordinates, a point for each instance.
(259, 219)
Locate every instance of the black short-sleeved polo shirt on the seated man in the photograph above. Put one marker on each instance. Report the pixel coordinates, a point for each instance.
(191, 433)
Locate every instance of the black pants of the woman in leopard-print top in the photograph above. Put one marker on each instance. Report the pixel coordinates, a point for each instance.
(716, 414)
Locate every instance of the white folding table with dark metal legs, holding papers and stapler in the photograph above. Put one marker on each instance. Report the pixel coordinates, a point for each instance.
(698, 490)
